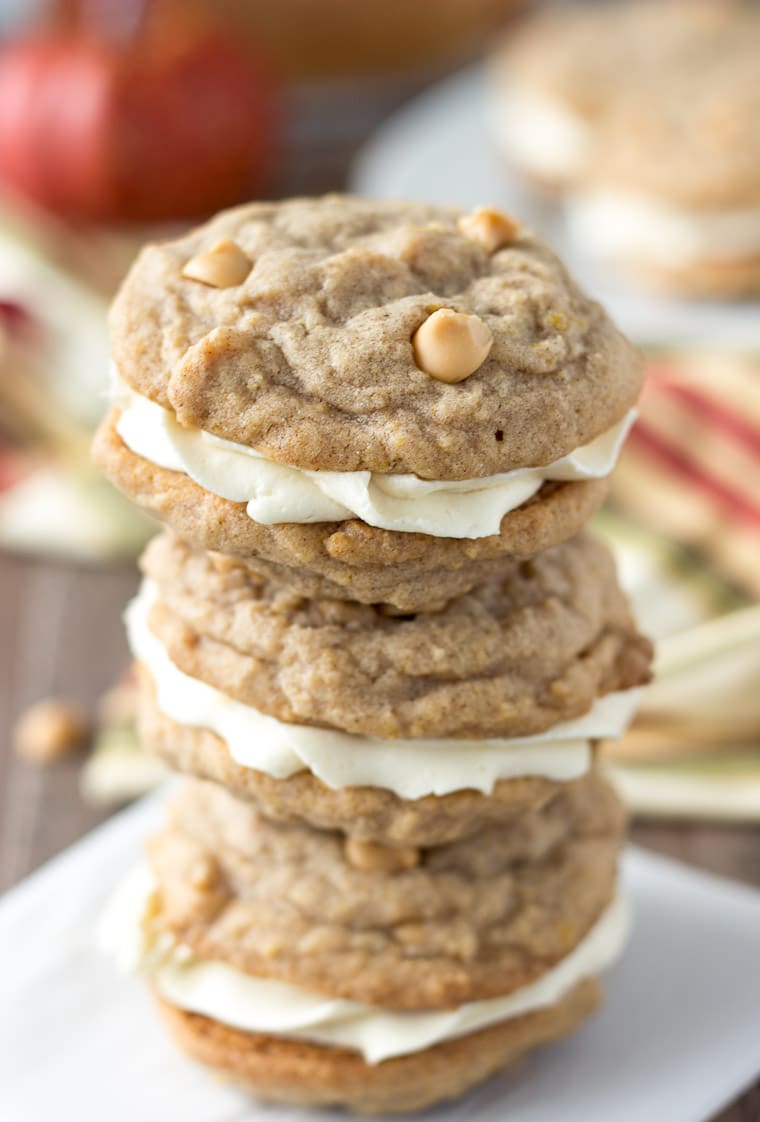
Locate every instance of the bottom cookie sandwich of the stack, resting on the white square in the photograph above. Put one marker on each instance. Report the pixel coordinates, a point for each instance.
(314, 970)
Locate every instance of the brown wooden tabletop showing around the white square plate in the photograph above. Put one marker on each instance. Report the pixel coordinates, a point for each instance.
(62, 636)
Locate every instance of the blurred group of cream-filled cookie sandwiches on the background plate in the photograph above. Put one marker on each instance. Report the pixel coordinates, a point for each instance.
(647, 115)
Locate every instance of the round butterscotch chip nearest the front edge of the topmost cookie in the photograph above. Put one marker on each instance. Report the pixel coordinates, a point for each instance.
(451, 346)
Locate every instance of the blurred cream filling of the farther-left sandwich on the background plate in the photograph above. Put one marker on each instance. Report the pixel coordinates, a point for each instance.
(538, 134)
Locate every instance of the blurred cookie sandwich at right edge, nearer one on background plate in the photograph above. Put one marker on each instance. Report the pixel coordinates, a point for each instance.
(674, 190)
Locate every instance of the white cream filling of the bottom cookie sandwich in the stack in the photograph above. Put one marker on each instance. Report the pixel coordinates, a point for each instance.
(253, 1005)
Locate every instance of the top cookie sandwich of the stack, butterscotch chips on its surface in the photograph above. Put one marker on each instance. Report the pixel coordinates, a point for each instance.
(373, 374)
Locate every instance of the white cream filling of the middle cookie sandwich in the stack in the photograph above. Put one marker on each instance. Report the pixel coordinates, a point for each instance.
(410, 769)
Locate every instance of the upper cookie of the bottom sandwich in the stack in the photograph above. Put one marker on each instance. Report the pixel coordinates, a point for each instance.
(457, 924)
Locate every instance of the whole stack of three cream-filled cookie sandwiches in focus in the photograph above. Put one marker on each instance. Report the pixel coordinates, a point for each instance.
(380, 641)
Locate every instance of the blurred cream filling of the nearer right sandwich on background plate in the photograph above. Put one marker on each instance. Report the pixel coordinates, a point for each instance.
(614, 225)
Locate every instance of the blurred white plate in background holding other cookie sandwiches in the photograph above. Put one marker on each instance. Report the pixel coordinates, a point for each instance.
(438, 150)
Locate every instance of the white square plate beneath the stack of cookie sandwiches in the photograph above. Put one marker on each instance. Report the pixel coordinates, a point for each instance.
(677, 1038)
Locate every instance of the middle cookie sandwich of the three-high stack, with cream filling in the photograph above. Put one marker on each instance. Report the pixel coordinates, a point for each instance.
(395, 730)
